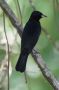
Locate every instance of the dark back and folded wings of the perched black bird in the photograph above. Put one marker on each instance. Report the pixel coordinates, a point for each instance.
(29, 37)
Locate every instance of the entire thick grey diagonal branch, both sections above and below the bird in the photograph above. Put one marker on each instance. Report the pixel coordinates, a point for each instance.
(46, 72)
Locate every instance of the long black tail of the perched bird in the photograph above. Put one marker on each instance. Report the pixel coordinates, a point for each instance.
(21, 64)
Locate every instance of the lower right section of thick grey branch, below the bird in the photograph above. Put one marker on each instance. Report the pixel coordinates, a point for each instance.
(45, 71)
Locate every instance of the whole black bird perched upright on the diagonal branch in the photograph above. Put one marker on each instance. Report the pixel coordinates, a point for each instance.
(29, 39)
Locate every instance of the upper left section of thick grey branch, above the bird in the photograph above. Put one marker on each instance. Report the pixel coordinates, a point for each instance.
(11, 16)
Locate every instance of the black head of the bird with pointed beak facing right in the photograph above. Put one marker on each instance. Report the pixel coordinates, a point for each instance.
(36, 15)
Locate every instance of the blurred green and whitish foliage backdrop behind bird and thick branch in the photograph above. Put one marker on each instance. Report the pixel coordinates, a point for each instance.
(48, 45)
